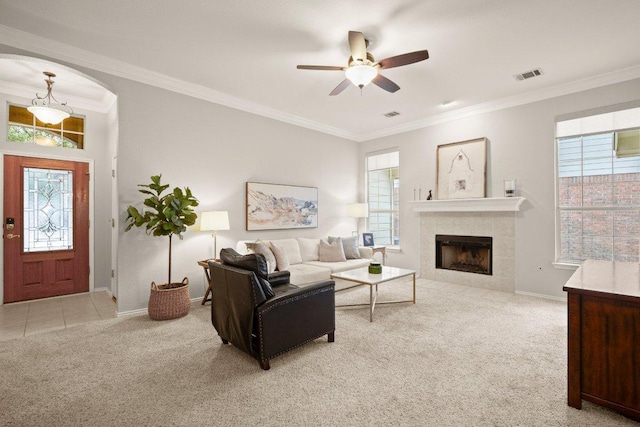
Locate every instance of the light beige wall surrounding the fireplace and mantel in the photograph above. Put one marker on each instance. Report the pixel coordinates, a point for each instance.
(520, 146)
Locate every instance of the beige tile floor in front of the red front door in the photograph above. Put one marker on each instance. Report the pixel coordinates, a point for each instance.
(33, 317)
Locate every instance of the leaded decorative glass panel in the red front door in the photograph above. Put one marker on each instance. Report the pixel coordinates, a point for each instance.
(48, 210)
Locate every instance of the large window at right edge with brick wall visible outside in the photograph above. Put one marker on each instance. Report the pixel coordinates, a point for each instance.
(598, 191)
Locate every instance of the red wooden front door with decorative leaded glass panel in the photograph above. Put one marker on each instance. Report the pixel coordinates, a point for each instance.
(45, 228)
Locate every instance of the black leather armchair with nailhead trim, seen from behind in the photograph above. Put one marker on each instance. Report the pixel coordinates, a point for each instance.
(263, 320)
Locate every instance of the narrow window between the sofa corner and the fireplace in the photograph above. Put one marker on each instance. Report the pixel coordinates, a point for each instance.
(383, 196)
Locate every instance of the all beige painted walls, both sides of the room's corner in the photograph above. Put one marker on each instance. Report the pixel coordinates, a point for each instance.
(215, 150)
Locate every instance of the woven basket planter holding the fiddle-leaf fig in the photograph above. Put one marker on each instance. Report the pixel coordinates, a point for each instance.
(169, 301)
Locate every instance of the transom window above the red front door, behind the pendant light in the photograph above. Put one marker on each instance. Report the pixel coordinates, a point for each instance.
(24, 128)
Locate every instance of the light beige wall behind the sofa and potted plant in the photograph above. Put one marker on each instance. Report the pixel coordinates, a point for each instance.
(214, 150)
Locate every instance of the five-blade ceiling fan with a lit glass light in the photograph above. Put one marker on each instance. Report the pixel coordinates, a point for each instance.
(362, 69)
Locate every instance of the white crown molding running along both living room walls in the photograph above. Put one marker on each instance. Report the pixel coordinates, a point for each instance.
(60, 51)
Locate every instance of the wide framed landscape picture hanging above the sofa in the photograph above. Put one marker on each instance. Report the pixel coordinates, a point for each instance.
(276, 206)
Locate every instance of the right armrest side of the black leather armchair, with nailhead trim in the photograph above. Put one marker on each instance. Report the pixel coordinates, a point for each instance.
(294, 318)
